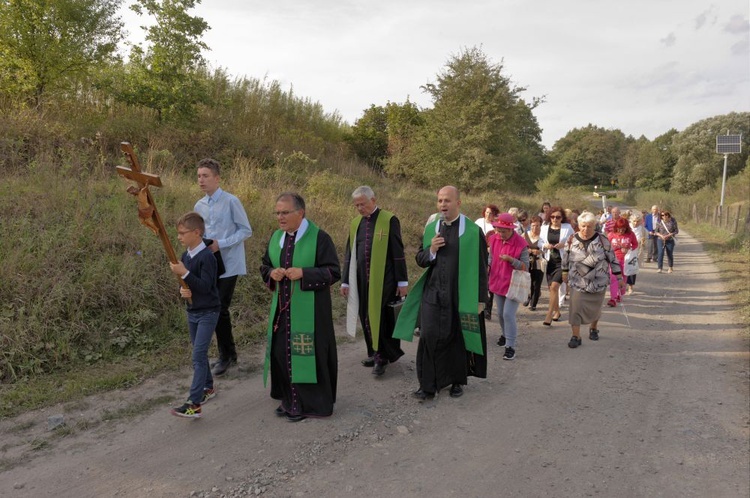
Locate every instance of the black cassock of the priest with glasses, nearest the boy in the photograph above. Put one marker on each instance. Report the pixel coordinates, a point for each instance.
(314, 400)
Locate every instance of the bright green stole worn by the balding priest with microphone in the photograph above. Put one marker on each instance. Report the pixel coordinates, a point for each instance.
(468, 289)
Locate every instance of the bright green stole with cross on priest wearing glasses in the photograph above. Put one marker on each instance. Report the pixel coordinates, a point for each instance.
(302, 337)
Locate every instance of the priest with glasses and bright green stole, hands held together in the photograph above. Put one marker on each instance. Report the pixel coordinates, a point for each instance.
(299, 266)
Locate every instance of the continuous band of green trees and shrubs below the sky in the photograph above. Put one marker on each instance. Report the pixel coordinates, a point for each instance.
(63, 60)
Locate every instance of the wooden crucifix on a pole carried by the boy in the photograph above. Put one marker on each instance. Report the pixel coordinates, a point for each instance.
(147, 212)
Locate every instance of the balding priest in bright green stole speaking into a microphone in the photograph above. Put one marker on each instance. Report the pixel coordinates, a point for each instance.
(452, 293)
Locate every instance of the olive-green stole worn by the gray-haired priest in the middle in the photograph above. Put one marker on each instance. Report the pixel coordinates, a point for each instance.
(377, 268)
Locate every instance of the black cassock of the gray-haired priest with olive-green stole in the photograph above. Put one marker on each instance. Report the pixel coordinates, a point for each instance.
(389, 349)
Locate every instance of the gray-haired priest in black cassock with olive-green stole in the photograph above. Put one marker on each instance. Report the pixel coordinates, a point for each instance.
(374, 276)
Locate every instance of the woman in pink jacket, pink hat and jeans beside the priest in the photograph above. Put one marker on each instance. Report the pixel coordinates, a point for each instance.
(508, 251)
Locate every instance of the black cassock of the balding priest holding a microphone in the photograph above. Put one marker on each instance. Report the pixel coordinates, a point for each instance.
(442, 359)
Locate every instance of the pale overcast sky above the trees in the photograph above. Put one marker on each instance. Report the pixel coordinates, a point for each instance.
(641, 66)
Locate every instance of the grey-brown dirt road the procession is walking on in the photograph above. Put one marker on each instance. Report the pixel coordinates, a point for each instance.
(659, 407)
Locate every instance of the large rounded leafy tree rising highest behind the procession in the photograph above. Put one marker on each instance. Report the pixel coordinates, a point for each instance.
(479, 133)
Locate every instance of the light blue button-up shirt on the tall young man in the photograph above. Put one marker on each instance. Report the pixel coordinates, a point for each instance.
(227, 223)
